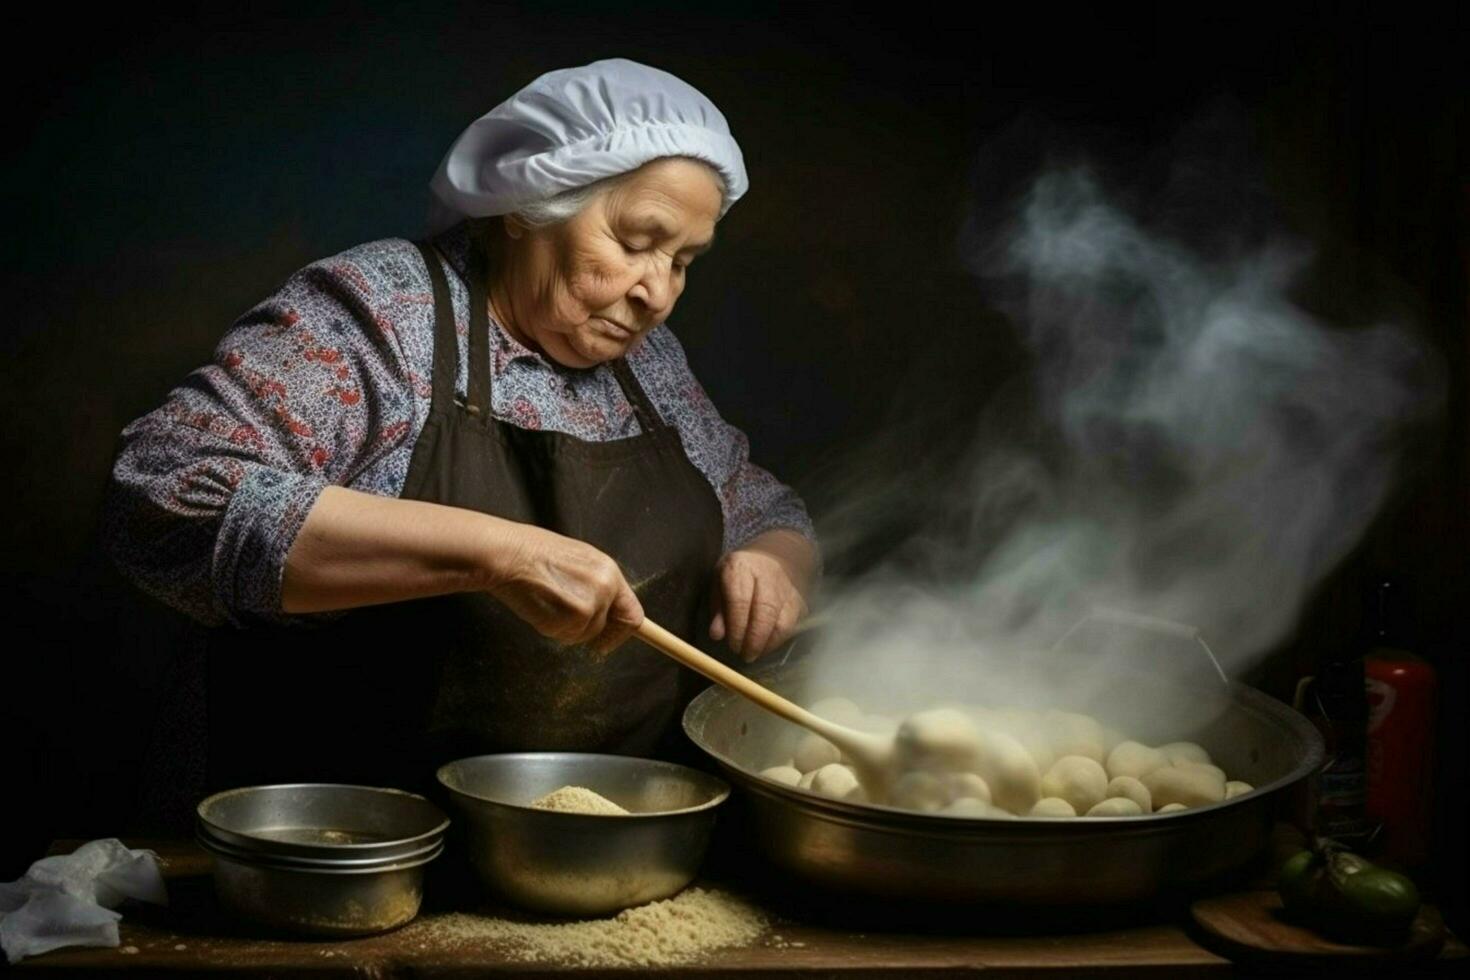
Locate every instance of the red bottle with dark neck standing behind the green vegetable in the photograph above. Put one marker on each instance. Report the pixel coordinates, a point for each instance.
(1402, 693)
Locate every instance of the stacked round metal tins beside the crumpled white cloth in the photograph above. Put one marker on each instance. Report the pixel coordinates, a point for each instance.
(318, 859)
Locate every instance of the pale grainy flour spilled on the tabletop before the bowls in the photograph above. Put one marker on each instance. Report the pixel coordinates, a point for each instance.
(662, 934)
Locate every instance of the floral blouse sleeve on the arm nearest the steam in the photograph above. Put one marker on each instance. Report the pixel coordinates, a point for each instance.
(752, 500)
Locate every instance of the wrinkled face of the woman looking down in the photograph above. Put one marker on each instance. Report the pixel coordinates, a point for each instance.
(589, 290)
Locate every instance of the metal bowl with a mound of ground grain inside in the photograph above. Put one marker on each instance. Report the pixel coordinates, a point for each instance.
(574, 834)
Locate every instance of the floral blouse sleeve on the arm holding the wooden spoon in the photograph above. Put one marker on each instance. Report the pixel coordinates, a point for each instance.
(209, 491)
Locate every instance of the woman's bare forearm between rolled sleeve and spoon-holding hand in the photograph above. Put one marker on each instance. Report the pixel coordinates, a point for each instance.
(359, 550)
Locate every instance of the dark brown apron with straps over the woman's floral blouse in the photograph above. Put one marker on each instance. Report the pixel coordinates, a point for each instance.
(387, 694)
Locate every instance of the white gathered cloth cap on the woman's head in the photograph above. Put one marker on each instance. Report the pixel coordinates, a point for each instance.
(577, 126)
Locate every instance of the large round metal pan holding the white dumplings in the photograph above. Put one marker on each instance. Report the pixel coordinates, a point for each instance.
(884, 853)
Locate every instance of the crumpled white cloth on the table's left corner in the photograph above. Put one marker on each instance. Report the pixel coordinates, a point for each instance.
(67, 900)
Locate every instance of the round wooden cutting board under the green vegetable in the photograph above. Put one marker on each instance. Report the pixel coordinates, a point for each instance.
(1252, 928)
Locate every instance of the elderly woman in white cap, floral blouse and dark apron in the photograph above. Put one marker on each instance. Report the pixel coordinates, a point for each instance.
(429, 490)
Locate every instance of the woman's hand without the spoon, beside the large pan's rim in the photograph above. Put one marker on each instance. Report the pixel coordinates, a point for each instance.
(759, 593)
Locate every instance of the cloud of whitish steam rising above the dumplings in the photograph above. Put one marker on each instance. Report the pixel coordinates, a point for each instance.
(1197, 449)
